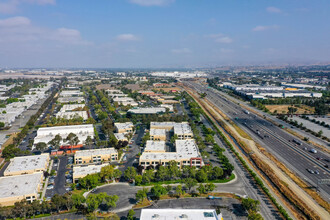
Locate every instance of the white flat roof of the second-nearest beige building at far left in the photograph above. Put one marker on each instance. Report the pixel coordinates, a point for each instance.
(26, 163)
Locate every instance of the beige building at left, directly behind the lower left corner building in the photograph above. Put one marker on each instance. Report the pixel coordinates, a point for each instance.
(27, 165)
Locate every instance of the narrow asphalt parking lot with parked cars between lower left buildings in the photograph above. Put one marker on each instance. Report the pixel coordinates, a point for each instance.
(60, 182)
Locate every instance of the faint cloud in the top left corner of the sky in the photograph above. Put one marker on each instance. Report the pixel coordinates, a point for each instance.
(11, 6)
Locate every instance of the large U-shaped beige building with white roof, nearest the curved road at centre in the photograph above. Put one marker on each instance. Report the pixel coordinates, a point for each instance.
(186, 154)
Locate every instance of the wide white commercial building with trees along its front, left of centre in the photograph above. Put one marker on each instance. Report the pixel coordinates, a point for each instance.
(48, 133)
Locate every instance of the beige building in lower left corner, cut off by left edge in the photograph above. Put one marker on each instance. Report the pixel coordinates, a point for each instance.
(16, 188)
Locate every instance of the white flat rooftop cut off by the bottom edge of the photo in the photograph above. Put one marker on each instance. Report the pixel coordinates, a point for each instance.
(176, 214)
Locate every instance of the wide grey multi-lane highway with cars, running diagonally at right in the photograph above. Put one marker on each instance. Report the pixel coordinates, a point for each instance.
(277, 141)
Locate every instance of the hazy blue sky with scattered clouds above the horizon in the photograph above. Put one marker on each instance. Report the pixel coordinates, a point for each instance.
(162, 33)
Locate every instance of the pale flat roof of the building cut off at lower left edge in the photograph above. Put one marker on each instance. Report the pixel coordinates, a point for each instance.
(13, 186)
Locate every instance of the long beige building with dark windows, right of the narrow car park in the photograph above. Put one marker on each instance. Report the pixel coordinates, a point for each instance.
(96, 156)
